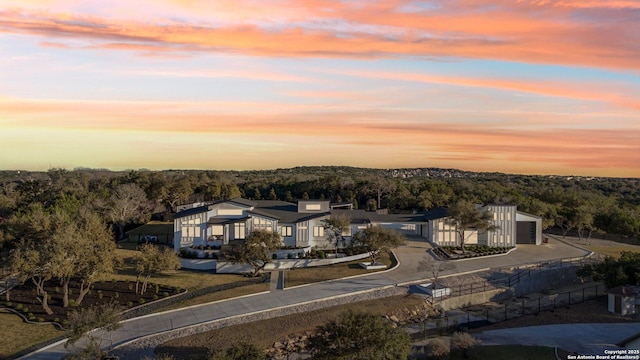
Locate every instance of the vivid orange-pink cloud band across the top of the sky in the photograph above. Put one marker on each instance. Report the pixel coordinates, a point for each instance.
(526, 32)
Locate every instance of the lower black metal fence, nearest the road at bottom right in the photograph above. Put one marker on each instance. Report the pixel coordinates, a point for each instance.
(489, 313)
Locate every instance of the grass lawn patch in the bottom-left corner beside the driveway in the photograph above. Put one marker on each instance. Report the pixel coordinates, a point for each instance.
(18, 335)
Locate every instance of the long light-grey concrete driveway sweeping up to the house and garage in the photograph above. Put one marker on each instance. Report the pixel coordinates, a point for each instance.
(408, 256)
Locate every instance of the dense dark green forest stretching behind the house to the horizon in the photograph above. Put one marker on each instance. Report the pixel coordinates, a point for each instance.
(581, 205)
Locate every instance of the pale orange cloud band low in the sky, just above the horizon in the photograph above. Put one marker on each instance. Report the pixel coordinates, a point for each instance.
(366, 138)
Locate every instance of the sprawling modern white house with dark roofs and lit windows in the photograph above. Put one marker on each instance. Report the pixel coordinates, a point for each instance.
(301, 224)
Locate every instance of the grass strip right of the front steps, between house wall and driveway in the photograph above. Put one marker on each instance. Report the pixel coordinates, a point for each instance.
(303, 276)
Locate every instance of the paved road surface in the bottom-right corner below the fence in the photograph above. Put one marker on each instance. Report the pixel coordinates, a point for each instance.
(586, 339)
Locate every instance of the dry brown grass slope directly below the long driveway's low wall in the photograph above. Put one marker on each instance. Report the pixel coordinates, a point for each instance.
(264, 333)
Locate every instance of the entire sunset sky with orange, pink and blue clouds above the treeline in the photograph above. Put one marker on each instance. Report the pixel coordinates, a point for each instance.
(517, 86)
